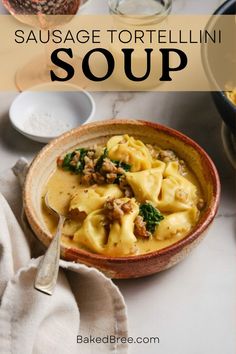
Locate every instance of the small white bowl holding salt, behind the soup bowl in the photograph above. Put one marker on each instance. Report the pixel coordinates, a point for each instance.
(46, 111)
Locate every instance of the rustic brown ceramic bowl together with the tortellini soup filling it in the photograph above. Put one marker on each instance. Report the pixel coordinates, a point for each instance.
(137, 196)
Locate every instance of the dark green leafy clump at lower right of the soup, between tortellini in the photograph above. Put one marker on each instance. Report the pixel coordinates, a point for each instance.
(151, 216)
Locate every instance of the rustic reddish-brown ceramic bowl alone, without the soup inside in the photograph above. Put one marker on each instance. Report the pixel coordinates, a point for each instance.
(98, 133)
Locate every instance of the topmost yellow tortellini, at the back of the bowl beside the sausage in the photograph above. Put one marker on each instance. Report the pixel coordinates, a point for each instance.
(131, 151)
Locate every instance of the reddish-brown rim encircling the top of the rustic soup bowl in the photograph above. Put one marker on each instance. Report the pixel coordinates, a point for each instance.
(205, 221)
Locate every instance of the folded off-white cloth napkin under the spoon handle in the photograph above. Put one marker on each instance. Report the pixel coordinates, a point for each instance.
(86, 307)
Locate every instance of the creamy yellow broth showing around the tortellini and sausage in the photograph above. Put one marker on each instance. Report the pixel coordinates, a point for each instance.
(62, 185)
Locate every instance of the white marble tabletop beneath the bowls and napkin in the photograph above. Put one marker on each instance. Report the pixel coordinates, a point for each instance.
(191, 307)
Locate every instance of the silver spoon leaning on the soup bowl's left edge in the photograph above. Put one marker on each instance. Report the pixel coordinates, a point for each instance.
(46, 277)
